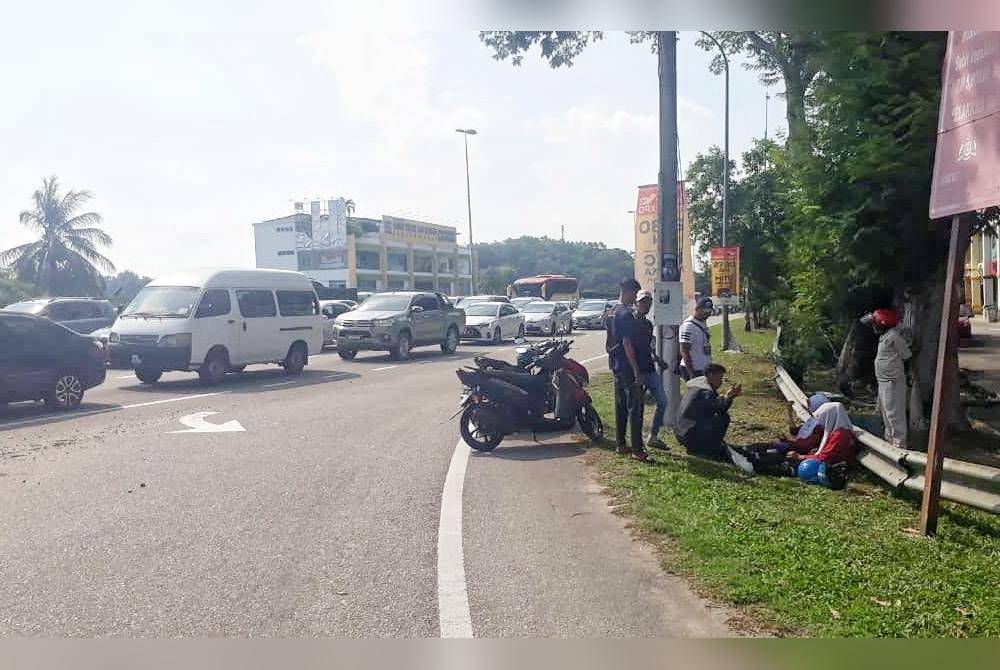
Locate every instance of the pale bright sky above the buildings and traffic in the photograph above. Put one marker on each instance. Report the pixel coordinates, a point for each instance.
(188, 123)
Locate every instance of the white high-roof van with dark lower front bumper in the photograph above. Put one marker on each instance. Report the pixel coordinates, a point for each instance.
(218, 321)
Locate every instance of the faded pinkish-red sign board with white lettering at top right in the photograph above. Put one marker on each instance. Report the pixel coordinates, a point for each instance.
(967, 160)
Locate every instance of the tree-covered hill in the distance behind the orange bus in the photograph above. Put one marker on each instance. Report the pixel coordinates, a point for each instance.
(596, 266)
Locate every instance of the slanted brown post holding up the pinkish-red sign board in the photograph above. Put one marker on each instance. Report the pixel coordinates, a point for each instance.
(947, 358)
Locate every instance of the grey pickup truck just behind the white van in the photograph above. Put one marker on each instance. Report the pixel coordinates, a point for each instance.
(398, 321)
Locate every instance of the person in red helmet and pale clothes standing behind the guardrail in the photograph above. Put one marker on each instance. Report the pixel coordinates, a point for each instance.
(890, 372)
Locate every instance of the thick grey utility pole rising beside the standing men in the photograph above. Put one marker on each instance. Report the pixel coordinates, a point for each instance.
(666, 42)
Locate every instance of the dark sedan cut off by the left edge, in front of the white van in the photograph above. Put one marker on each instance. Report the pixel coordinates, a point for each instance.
(41, 360)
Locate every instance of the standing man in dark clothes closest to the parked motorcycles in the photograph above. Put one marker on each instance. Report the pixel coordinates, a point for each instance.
(623, 334)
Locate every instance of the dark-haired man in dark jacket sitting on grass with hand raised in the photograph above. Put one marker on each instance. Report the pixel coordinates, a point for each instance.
(704, 415)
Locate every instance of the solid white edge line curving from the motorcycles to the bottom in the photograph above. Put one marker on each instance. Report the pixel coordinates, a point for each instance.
(454, 619)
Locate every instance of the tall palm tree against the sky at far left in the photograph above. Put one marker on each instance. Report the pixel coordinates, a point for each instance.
(65, 256)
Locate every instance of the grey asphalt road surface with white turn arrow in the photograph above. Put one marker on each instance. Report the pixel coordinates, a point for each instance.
(321, 517)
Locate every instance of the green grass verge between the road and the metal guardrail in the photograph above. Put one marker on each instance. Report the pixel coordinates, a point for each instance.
(803, 560)
